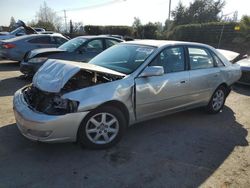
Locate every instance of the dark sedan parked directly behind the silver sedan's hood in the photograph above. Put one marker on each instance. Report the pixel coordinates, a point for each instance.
(80, 49)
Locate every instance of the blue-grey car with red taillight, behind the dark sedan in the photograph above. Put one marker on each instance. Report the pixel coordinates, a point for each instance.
(16, 48)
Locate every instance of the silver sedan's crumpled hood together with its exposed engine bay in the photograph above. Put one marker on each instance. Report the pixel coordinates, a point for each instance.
(54, 79)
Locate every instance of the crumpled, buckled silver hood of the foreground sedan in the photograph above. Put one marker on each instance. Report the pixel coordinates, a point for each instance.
(54, 74)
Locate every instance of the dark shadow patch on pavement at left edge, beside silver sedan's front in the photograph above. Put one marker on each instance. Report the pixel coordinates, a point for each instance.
(10, 85)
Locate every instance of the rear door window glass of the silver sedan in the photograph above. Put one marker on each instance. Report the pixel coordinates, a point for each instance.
(200, 58)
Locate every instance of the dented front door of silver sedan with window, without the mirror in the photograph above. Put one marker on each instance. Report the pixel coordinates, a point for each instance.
(159, 94)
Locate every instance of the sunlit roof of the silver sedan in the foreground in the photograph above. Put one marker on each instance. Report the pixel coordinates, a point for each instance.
(160, 43)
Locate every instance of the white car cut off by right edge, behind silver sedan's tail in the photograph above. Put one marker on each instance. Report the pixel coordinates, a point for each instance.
(245, 69)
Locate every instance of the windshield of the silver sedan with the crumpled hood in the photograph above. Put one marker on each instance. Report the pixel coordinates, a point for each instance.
(124, 58)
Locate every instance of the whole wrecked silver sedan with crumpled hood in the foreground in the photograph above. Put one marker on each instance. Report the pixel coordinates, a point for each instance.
(130, 82)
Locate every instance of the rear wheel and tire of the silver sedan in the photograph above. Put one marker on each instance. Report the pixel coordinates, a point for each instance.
(217, 100)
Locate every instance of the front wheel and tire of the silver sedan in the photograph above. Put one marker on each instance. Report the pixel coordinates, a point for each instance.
(102, 128)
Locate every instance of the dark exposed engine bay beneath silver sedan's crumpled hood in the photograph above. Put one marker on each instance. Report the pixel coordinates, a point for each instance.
(53, 103)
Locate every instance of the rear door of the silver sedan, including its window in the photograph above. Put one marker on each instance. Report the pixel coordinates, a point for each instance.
(204, 74)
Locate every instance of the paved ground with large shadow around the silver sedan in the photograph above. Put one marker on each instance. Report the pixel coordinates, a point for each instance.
(187, 149)
